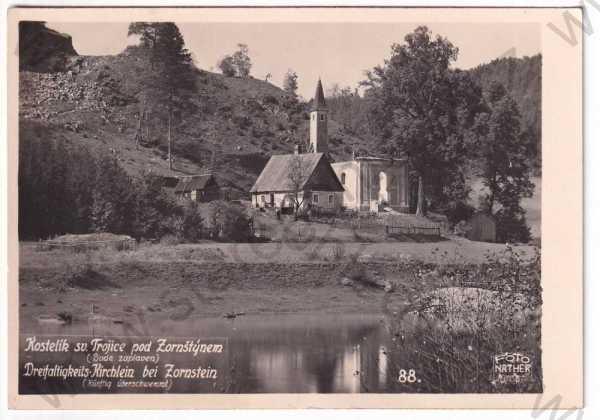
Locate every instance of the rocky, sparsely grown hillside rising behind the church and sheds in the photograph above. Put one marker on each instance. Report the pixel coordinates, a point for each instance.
(231, 127)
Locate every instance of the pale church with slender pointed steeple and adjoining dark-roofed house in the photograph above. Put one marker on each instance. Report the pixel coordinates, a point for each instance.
(363, 184)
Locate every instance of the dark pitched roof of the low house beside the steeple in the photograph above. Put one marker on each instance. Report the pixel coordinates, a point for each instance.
(319, 174)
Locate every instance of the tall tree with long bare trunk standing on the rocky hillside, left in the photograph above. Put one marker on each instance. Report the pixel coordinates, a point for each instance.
(168, 85)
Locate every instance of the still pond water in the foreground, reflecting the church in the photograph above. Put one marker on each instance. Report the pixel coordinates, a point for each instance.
(274, 353)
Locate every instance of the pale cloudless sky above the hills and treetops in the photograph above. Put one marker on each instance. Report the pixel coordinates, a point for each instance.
(336, 52)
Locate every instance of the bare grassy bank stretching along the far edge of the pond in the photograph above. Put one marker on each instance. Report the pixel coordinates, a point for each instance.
(210, 280)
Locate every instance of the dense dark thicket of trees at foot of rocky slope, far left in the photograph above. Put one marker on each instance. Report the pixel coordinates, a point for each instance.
(64, 188)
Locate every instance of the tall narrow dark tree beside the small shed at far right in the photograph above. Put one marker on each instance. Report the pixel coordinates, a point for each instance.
(505, 156)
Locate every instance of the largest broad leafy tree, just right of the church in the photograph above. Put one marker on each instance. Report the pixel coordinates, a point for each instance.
(424, 110)
